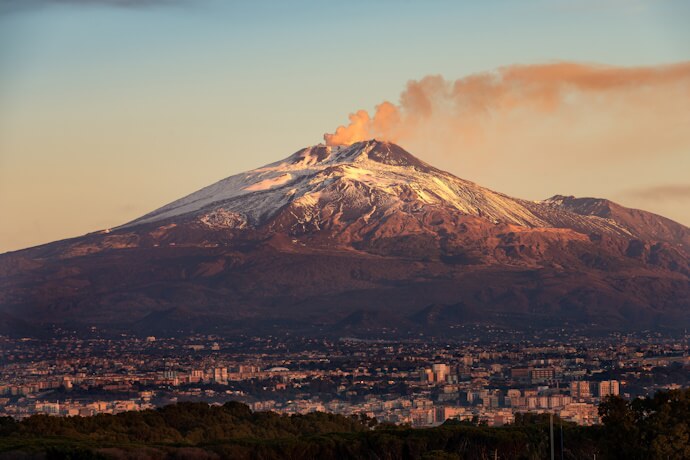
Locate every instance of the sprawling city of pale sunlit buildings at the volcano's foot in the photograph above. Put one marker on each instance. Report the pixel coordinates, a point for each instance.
(487, 377)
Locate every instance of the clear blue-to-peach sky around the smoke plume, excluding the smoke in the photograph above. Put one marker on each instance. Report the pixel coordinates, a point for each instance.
(109, 109)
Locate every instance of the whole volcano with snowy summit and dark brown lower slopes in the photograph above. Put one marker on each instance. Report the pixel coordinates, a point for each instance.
(357, 239)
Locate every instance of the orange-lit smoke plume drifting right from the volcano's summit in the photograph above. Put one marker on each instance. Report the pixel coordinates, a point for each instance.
(563, 109)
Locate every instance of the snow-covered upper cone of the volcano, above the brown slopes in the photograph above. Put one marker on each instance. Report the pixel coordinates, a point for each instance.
(374, 174)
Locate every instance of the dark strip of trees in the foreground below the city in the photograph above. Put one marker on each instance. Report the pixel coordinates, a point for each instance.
(655, 428)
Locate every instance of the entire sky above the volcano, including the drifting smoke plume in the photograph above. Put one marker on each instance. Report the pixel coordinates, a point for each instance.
(112, 108)
